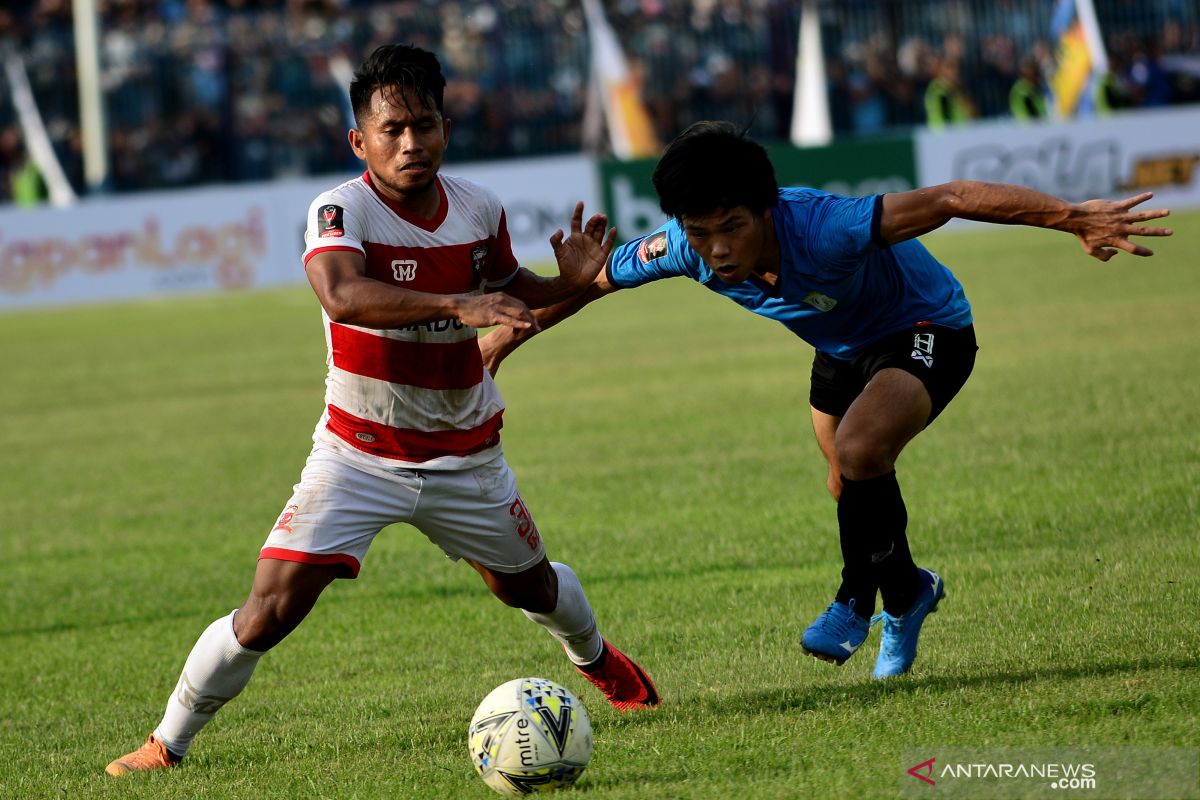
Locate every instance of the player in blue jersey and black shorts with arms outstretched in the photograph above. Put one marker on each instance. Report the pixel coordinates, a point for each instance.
(891, 326)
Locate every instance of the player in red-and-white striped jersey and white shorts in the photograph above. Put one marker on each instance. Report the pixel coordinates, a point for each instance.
(407, 264)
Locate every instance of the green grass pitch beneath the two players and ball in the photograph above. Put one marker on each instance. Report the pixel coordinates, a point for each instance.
(662, 440)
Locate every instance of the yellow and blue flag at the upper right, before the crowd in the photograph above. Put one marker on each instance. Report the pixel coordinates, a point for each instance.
(1082, 61)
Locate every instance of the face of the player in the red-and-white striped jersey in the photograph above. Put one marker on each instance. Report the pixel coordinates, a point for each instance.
(404, 142)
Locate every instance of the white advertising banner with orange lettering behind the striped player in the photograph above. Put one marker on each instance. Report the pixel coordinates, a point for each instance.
(235, 238)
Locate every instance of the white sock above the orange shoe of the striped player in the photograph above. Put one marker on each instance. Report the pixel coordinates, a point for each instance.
(215, 672)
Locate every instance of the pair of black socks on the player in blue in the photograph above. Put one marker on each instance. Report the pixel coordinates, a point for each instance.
(872, 520)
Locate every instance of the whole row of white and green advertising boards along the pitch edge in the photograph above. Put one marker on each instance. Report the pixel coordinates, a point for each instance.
(251, 236)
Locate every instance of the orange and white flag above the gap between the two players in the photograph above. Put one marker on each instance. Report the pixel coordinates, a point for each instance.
(631, 131)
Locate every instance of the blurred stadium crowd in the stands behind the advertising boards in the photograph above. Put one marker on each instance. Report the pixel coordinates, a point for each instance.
(238, 91)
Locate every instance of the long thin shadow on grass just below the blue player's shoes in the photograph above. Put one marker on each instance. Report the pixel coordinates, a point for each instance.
(812, 699)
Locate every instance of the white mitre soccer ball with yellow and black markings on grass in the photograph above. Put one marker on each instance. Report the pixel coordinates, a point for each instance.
(530, 736)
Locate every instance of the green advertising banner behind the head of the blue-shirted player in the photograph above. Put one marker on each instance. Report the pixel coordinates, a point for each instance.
(851, 169)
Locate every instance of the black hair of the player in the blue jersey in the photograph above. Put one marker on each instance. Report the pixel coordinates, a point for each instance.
(715, 166)
